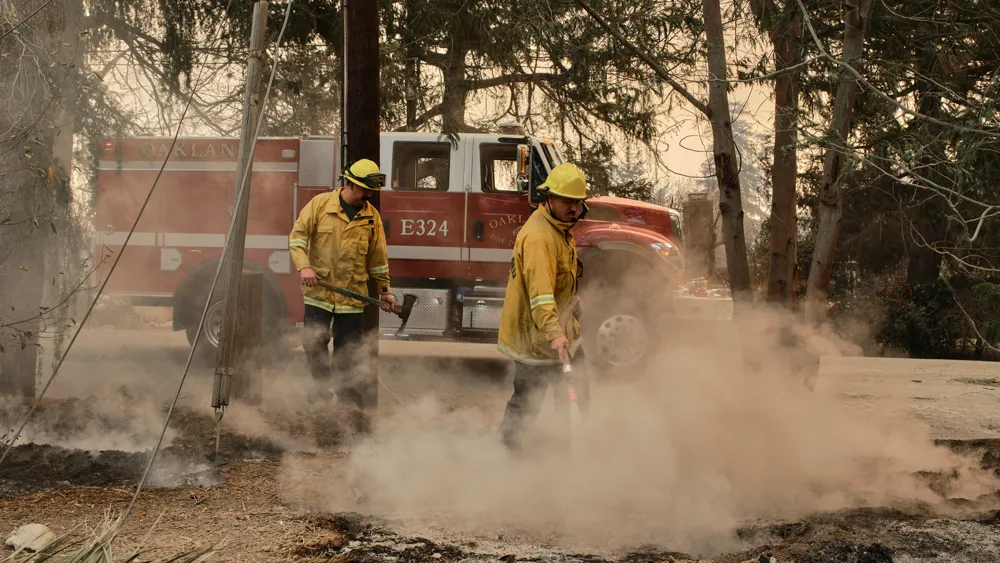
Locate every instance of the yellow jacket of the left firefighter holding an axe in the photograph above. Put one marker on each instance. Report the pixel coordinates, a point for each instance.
(342, 252)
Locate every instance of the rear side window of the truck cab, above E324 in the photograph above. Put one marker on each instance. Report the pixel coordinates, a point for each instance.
(420, 166)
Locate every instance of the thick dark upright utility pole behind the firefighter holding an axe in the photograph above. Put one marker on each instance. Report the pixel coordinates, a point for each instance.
(360, 126)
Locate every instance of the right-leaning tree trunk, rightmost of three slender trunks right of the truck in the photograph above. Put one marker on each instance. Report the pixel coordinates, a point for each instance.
(830, 210)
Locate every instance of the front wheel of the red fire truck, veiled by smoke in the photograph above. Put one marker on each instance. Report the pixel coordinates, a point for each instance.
(624, 317)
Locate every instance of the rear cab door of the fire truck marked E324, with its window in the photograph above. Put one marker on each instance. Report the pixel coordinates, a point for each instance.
(423, 205)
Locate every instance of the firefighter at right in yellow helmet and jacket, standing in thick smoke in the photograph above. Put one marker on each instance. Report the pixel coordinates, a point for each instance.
(543, 282)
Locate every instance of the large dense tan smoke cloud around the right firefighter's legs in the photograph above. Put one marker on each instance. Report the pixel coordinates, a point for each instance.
(679, 457)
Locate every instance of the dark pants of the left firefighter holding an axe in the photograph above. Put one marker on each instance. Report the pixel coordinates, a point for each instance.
(349, 368)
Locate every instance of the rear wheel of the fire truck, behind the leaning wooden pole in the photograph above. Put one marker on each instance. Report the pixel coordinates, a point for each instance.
(192, 301)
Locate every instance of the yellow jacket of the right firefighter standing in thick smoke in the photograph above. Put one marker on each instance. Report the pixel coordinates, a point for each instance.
(543, 279)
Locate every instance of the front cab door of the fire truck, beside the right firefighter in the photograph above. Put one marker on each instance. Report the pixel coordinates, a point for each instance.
(496, 208)
